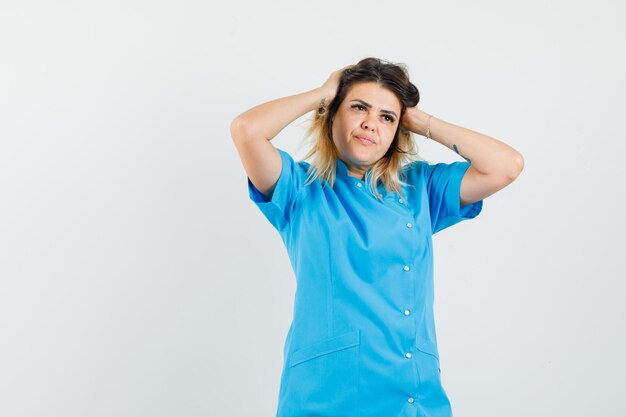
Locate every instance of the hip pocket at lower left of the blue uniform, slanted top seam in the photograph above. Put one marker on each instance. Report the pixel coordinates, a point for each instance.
(323, 377)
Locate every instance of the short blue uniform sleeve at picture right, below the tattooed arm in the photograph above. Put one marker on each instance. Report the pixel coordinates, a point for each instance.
(443, 183)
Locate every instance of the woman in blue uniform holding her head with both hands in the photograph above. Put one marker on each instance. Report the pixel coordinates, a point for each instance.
(357, 223)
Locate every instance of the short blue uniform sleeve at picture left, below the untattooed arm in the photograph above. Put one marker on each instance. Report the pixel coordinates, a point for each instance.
(277, 209)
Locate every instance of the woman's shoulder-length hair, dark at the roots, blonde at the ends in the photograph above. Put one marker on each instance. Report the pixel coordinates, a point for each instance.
(403, 149)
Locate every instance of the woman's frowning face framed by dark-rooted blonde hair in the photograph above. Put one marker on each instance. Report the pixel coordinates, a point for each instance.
(369, 111)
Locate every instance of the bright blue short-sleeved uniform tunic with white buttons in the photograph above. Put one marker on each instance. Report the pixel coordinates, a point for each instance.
(362, 340)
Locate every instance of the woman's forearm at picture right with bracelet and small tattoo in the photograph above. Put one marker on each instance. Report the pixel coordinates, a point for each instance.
(486, 154)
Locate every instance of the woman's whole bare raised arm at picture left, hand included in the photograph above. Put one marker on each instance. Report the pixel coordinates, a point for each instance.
(253, 130)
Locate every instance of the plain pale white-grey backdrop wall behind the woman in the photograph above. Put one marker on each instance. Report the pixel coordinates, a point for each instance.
(138, 279)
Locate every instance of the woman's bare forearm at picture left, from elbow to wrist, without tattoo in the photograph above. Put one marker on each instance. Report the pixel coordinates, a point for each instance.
(268, 119)
